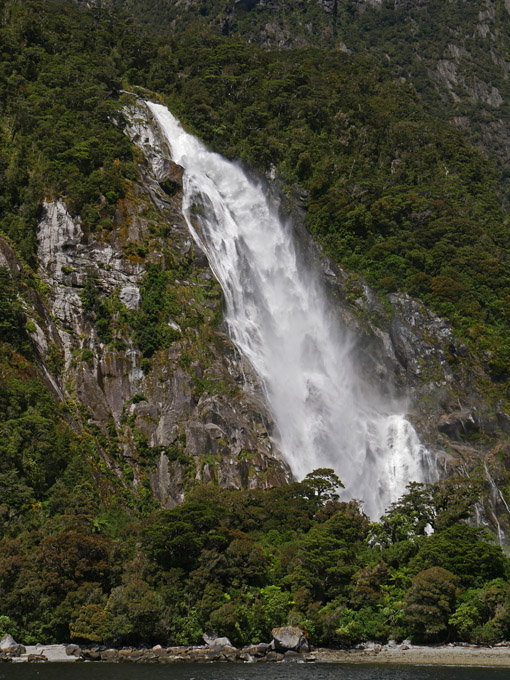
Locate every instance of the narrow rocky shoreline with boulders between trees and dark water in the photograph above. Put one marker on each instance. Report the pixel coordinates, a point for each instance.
(220, 650)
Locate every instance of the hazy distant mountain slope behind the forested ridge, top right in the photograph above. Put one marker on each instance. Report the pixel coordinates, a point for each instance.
(456, 55)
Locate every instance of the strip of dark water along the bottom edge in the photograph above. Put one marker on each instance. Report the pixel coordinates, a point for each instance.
(91, 671)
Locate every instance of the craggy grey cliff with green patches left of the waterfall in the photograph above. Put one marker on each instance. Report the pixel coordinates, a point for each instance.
(128, 335)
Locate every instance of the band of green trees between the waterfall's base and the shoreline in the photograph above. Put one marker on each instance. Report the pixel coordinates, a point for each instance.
(218, 563)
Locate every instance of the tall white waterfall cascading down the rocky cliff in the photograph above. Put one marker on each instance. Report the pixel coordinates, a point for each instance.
(279, 317)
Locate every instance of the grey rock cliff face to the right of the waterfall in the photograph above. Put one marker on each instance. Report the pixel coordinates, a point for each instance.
(405, 351)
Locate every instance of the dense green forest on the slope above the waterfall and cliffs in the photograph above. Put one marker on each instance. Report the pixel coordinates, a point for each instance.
(391, 192)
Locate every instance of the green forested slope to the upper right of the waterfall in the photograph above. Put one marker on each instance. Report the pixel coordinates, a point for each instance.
(392, 192)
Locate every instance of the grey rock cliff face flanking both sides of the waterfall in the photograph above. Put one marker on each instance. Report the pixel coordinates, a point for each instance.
(127, 325)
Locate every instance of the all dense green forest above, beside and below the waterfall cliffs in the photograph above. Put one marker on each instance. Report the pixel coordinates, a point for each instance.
(392, 192)
